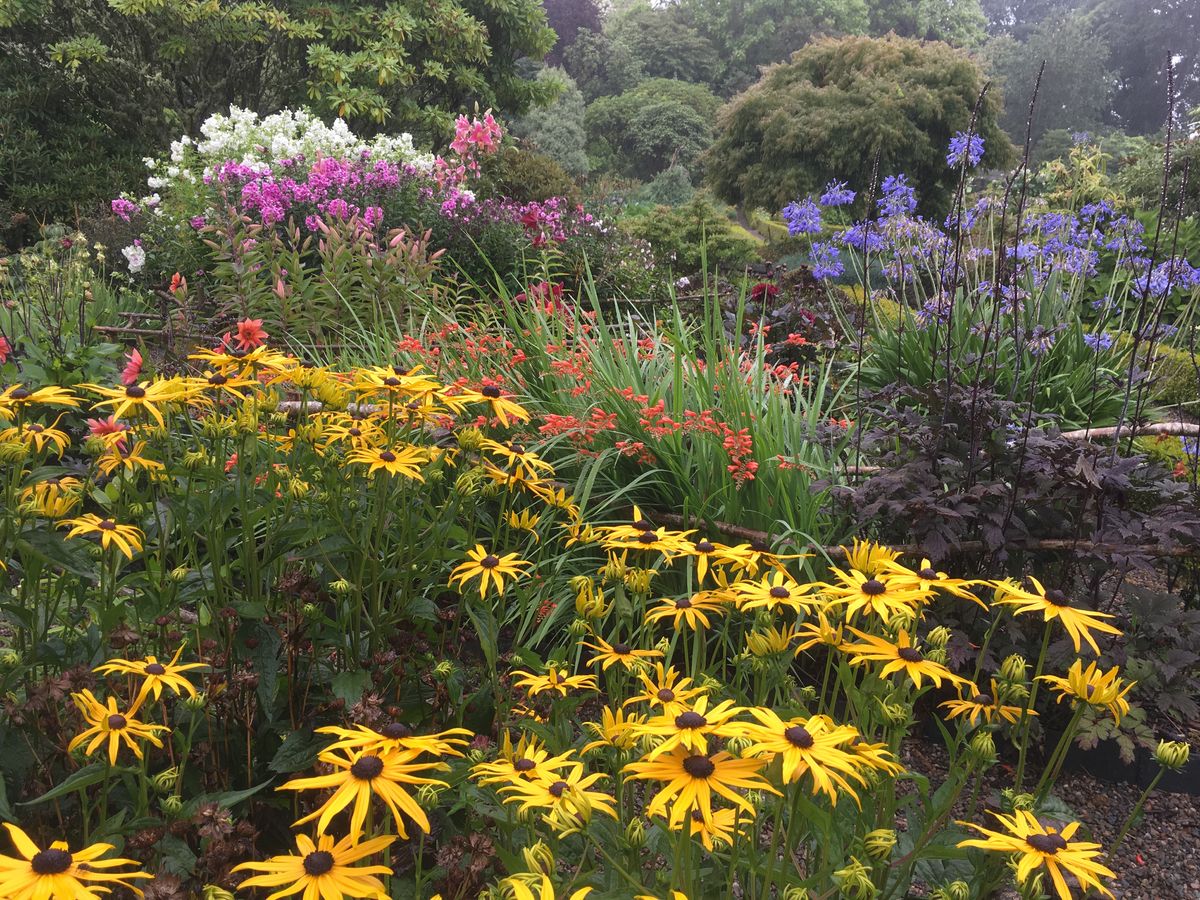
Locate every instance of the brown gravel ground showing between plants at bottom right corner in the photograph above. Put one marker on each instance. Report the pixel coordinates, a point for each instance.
(1160, 859)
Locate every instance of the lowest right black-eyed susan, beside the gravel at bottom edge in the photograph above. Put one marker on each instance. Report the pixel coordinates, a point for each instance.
(1036, 847)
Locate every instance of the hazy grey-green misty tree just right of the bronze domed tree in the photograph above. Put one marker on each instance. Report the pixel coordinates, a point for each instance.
(1075, 89)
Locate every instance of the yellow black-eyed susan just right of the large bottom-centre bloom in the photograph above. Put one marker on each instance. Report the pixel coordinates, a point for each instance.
(813, 747)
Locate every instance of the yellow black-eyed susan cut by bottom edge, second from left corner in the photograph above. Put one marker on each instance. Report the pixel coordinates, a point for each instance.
(323, 871)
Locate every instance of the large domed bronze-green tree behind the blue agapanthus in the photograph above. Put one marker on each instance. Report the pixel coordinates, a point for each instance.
(838, 105)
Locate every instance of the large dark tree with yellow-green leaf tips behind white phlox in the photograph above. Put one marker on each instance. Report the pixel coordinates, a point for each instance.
(112, 80)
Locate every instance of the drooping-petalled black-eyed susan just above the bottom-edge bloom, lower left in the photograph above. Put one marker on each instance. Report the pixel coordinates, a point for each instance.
(358, 778)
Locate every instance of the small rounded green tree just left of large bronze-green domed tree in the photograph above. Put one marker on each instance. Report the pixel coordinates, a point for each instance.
(646, 130)
